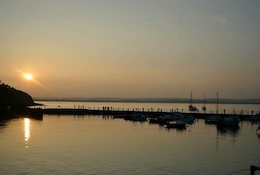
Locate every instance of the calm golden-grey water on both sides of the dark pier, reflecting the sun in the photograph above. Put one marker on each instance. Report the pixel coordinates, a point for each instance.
(102, 145)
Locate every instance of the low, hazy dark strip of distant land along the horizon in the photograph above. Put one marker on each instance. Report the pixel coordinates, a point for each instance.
(154, 100)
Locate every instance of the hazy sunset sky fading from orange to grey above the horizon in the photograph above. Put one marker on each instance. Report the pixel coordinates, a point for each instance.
(131, 48)
